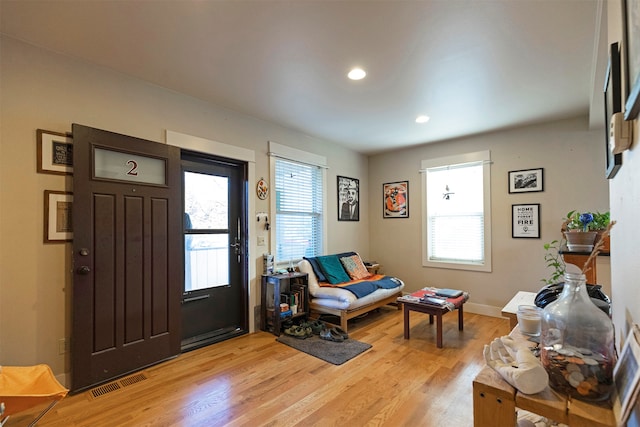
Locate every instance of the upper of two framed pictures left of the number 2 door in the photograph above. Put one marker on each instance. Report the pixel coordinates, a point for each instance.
(55, 152)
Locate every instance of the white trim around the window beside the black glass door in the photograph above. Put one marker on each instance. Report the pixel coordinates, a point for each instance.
(294, 155)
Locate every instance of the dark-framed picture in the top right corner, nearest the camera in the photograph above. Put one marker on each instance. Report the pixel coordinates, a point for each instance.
(631, 30)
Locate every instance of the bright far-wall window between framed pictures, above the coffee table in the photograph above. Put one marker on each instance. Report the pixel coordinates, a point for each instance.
(456, 215)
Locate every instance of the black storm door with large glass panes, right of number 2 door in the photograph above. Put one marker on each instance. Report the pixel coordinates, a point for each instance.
(214, 303)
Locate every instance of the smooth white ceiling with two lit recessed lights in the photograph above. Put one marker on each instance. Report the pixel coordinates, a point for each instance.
(472, 65)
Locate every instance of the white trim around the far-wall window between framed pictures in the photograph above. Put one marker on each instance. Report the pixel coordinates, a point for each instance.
(478, 156)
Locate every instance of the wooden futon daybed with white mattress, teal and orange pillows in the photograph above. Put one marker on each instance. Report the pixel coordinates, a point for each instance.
(340, 285)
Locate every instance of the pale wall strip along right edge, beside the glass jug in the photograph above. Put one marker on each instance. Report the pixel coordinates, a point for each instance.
(625, 205)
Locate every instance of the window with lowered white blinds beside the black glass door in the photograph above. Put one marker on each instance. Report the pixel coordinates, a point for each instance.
(299, 200)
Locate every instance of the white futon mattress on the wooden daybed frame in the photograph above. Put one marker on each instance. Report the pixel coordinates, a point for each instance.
(340, 298)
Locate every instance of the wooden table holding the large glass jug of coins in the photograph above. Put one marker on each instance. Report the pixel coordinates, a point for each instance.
(495, 403)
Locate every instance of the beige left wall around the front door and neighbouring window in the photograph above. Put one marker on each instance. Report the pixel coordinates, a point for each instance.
(44, 90)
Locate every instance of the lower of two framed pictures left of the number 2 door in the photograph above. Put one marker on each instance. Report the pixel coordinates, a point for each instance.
(57, 216)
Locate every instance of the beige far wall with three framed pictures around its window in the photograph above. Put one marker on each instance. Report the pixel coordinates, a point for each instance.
(571, 156)
